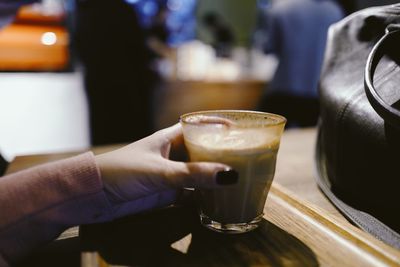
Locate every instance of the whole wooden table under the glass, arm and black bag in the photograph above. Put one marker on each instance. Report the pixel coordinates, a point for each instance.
(300, 227)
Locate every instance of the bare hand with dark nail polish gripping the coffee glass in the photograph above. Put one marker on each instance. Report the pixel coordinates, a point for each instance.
(142, 176)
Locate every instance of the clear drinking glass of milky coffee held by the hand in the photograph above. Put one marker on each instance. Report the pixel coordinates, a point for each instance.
(248, 141)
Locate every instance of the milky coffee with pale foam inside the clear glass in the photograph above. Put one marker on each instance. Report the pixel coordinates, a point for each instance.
(252, 153)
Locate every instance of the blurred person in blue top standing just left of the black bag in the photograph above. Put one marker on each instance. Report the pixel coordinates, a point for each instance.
(296, 31)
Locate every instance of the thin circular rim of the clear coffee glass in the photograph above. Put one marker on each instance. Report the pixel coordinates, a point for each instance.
(278, 119)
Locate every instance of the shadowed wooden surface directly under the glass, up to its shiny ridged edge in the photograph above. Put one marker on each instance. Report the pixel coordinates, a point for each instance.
(292, 233)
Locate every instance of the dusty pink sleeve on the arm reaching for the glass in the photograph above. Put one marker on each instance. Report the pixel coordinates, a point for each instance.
(37, 204)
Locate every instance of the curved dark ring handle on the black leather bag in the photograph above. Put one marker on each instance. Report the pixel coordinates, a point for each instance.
(387, 112)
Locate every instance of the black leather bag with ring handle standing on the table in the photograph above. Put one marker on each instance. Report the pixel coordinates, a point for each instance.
(358, 146)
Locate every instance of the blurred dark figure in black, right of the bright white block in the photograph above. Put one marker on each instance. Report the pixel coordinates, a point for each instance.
(119, 79)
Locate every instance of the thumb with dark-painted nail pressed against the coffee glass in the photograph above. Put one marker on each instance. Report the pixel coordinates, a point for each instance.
(201, 174)
